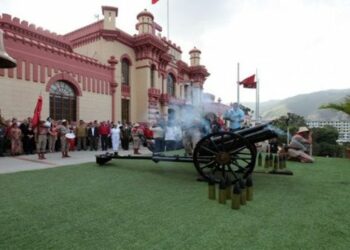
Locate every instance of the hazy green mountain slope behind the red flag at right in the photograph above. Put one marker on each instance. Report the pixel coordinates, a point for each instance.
(306, 105)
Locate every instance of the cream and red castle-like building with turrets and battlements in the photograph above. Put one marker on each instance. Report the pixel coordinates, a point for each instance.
(98, 72)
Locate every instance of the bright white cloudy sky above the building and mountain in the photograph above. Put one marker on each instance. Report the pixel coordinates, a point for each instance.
(295, 47)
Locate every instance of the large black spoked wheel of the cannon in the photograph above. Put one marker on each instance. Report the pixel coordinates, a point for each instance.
(224, 156)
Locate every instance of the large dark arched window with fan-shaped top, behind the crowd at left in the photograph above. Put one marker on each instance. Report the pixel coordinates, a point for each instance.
(63, 102)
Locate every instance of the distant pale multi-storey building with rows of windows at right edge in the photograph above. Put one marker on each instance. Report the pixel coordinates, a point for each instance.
(343, 128)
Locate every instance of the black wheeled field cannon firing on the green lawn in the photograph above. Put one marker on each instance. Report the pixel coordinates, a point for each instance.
(217, 157)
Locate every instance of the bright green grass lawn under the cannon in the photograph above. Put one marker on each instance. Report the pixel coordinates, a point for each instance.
(143, 205)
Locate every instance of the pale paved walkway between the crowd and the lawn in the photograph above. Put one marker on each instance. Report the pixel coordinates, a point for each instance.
(31, 162)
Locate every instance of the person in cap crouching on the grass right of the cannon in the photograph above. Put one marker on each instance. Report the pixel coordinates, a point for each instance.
(300, 146)
